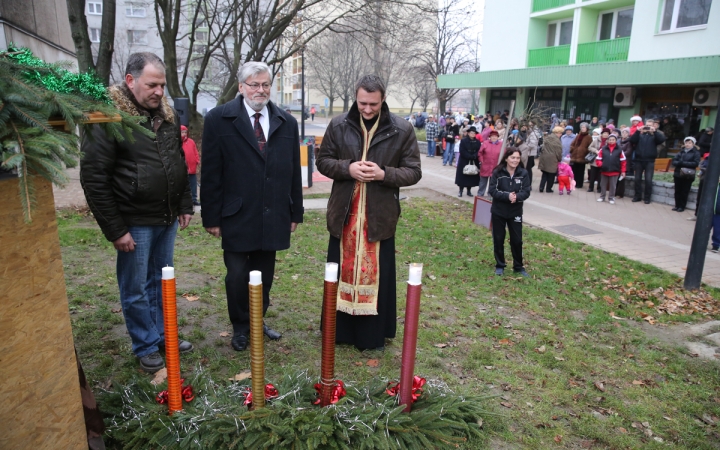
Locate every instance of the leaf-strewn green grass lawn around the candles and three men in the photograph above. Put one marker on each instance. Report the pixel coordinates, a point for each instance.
(566, 351)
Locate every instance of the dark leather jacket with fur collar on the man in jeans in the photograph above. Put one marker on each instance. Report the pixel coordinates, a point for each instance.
(136, 183)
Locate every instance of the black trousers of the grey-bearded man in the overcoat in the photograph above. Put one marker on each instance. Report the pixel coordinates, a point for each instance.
(239, 265)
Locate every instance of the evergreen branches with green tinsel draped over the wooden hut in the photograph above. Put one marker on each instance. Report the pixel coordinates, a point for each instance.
(31, 93)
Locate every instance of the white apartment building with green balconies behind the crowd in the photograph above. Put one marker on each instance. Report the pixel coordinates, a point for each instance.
(604, 58)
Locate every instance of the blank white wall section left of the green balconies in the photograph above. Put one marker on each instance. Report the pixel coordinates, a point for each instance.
(505, 35)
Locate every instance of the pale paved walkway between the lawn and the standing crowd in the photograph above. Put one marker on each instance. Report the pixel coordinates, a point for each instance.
(651, 233)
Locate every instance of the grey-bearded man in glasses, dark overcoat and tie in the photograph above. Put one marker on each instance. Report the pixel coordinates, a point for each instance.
(251, 189)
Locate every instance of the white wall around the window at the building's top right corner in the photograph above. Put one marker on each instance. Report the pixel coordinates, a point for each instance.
(647, 44)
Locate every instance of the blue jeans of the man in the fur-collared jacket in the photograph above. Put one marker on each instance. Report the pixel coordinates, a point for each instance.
(139, 273)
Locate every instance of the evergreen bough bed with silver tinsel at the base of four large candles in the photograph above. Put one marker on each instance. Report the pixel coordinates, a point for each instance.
(366, 418)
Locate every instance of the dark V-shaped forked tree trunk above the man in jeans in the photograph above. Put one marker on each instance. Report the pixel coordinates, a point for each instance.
(79, 32)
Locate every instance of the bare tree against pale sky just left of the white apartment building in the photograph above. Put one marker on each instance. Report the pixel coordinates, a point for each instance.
(451, 53)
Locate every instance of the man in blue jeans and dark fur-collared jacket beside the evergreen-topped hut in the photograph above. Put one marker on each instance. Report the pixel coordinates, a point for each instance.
(139, 192)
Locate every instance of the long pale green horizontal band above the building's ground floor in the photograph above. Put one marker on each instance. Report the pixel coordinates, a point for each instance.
(698, 70)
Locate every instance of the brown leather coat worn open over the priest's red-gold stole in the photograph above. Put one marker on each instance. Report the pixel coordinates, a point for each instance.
(394, 148)
